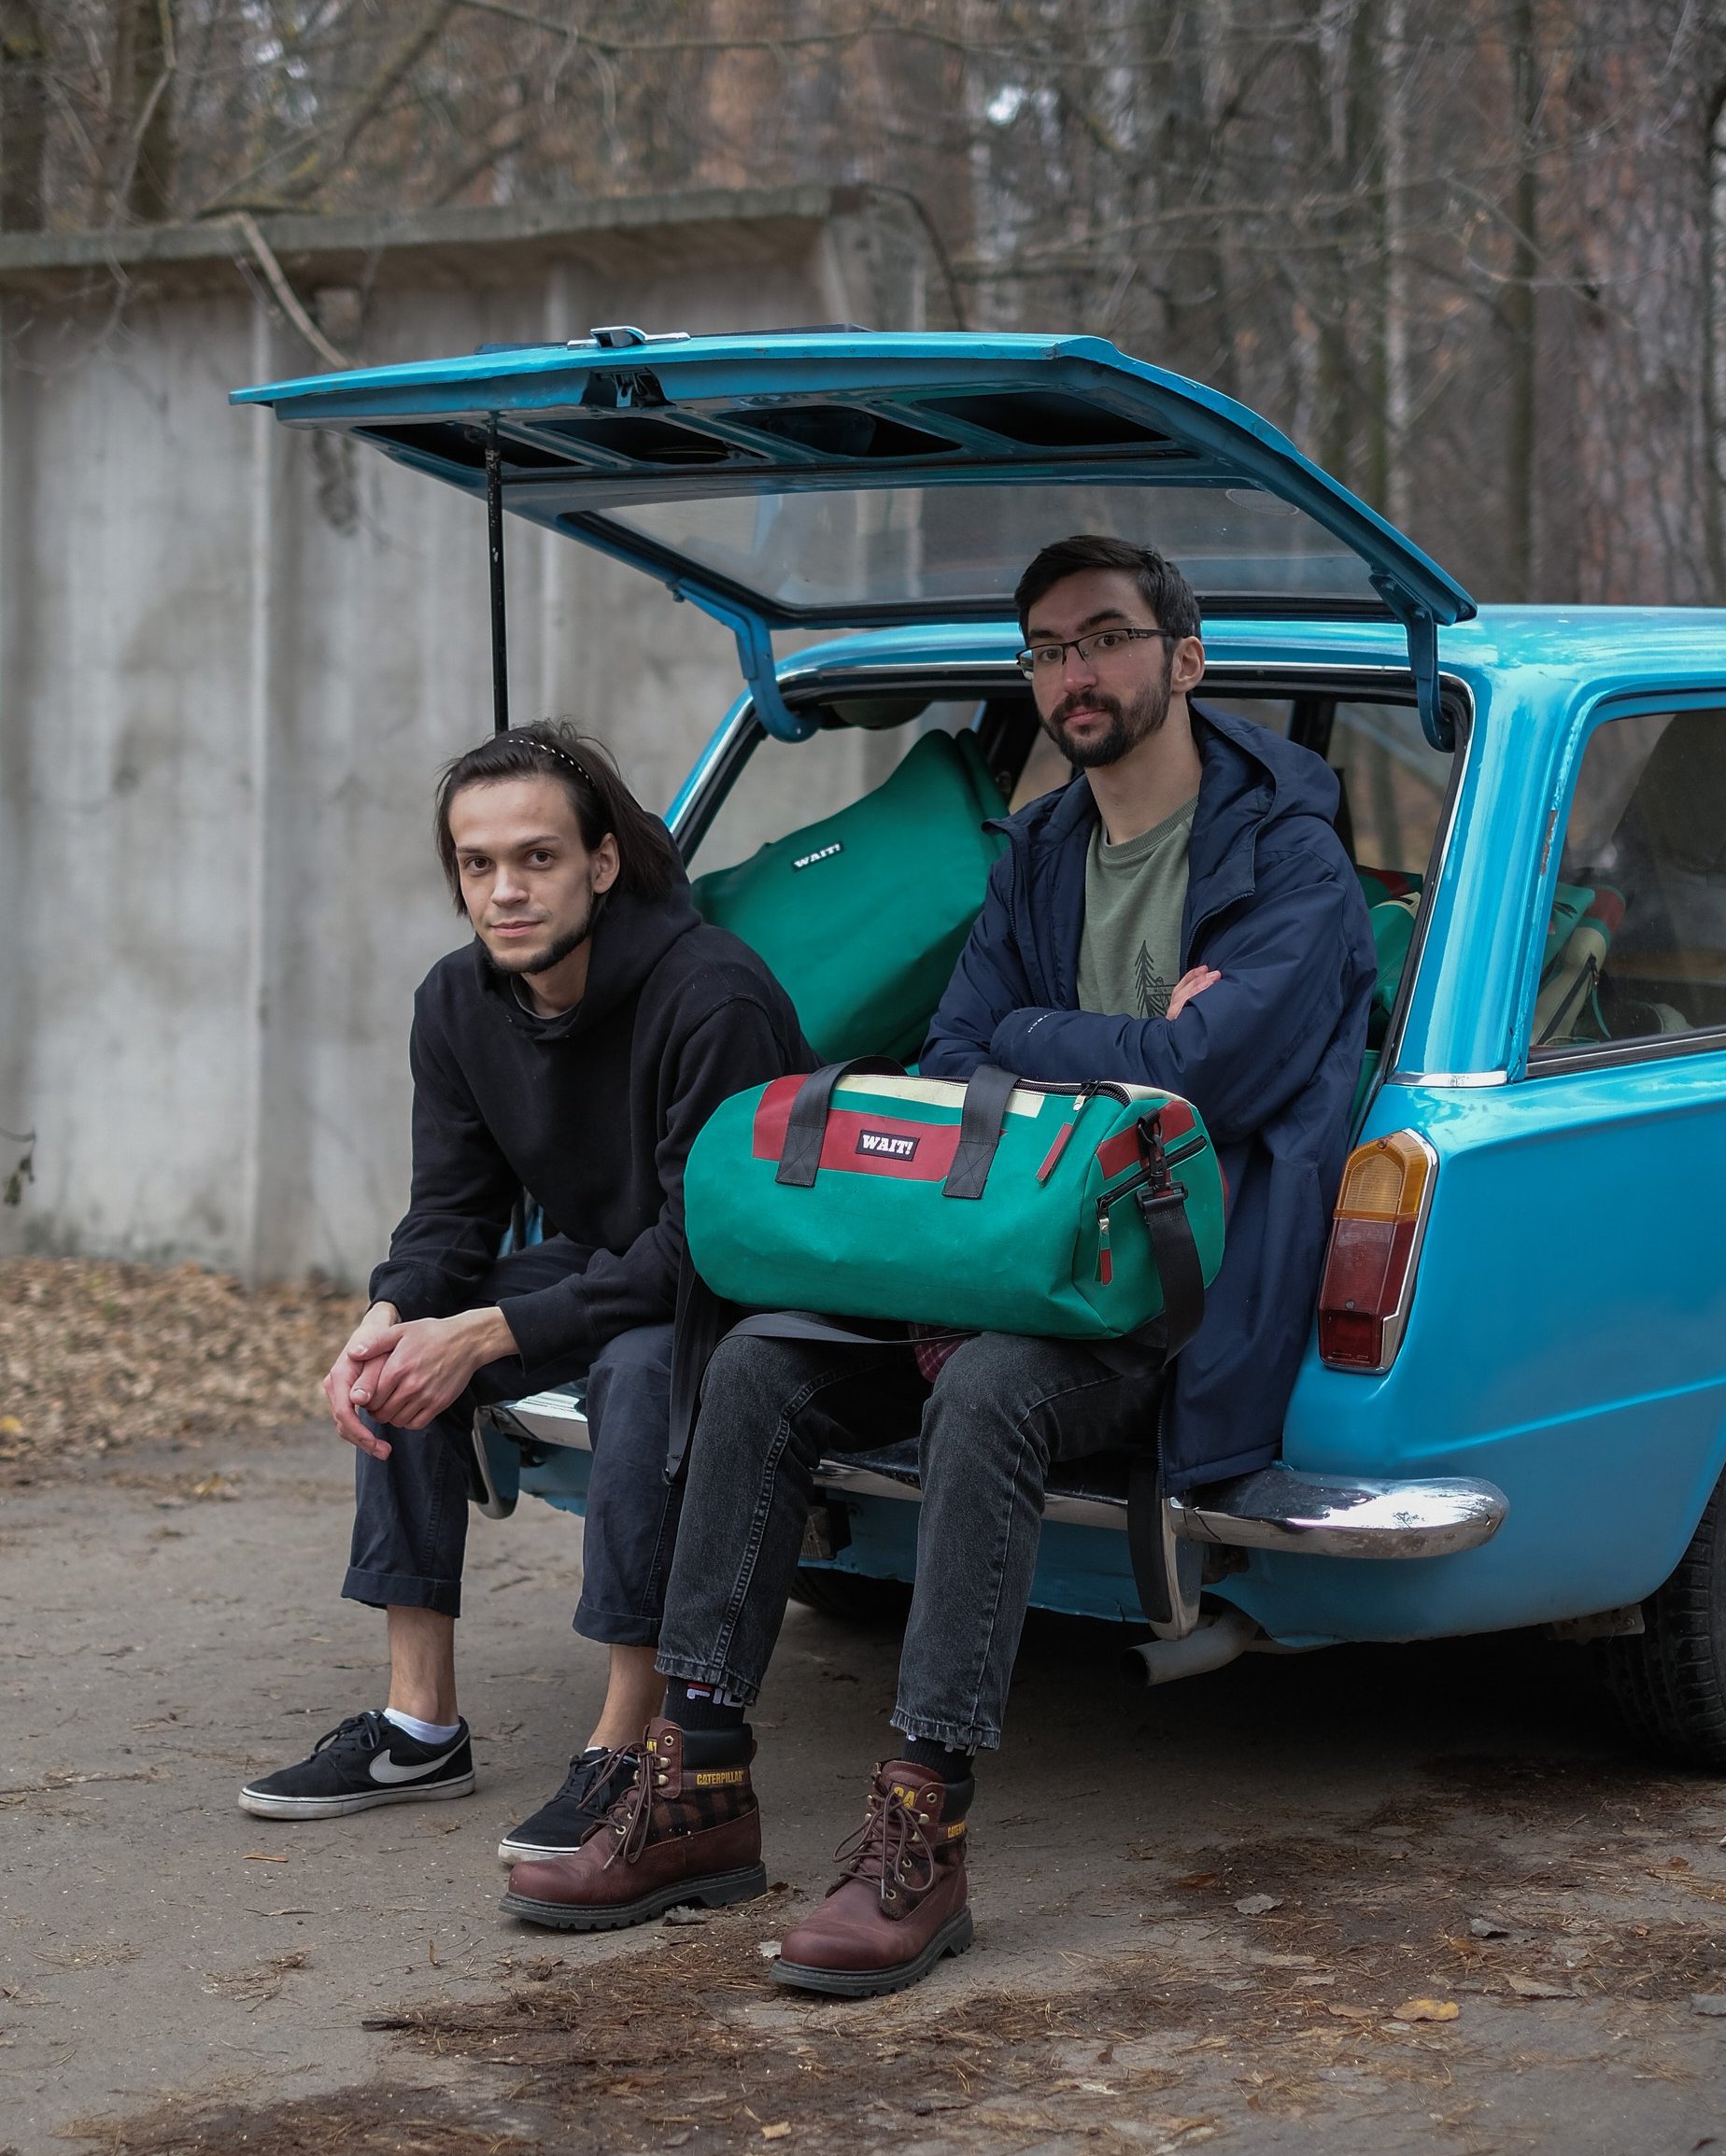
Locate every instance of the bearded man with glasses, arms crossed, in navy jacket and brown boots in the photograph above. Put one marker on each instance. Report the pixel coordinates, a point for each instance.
(1181, 915)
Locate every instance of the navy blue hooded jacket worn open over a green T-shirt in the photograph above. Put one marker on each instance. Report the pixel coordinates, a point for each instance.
(1270, 1055)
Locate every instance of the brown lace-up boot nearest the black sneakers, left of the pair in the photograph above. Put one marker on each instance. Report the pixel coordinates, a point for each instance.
(683, 1834)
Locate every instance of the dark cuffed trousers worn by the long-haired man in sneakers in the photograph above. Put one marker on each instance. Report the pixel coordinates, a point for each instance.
(411, 1512)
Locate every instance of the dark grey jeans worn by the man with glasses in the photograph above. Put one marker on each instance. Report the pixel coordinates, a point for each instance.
(1000, 1413)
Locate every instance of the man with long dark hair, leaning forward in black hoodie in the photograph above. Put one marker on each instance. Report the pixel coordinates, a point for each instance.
(573, 1051)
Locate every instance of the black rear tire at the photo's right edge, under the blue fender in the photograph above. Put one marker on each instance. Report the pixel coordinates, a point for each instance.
(1671, 1681)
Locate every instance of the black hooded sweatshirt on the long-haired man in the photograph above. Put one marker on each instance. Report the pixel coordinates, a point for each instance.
(592, 1111)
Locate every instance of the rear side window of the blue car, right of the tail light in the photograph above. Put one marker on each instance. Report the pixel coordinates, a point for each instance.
(1636, 943)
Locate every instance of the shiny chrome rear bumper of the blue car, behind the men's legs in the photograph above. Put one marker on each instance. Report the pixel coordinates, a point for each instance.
(1272, 1510)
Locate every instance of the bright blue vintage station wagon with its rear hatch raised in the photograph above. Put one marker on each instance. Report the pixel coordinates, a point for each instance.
(1513, 1400)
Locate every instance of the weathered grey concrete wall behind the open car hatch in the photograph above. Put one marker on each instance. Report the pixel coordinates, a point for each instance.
(232, 661)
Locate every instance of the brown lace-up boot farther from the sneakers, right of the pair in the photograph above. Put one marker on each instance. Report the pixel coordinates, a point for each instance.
(903, 1898)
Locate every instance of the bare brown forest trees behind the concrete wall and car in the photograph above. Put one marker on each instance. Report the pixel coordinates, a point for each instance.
(1470, 255)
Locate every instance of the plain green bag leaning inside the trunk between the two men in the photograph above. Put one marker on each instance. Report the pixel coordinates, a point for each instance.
(864, 915)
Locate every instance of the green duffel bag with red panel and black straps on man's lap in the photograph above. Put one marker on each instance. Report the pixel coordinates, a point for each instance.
(989, 1206)
